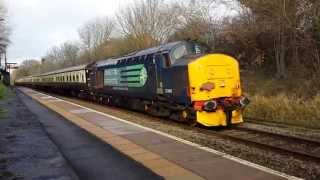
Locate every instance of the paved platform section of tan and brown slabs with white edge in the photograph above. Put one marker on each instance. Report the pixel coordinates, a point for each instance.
(165, 155)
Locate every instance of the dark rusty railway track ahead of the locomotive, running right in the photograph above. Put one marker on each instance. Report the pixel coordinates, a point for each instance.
(304, 149)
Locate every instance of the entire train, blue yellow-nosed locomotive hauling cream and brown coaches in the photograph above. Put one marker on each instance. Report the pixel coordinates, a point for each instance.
(177, 80)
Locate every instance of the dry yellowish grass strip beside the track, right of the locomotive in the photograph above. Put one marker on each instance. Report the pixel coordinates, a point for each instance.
(286, 110)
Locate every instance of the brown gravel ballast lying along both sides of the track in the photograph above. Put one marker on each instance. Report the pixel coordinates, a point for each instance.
(283, 163)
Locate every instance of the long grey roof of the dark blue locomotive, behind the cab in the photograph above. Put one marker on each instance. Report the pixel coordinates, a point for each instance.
(161, 48)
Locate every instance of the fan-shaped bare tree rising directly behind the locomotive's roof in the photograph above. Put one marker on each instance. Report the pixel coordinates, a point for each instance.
(148, 22)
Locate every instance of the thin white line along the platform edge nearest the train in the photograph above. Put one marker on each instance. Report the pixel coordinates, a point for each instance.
(227, 156)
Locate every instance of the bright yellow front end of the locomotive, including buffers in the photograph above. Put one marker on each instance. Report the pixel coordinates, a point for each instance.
(215, 90)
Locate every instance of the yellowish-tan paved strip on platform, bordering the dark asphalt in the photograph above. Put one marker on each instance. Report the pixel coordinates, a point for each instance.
(152, 161)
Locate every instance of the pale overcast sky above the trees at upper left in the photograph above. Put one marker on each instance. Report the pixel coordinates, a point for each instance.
(38, 25)
